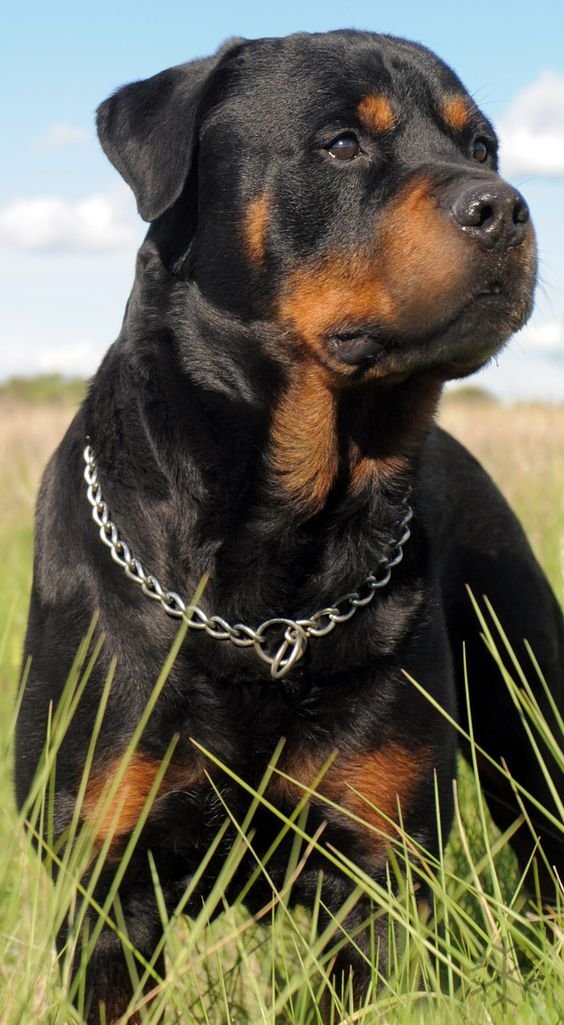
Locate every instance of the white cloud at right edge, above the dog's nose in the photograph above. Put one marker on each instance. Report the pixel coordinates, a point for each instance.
(533, 130)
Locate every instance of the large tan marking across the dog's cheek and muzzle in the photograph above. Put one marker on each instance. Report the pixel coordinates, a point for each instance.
(409, 278)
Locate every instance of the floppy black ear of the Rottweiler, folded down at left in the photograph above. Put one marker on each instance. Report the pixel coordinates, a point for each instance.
(148, 130)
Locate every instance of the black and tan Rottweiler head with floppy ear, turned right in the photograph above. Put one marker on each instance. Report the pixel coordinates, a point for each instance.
(343, 187)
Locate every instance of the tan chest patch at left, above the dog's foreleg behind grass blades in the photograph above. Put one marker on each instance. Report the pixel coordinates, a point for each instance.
(117, 815)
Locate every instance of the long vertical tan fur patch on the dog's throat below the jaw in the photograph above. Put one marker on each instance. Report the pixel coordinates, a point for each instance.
(304, 450)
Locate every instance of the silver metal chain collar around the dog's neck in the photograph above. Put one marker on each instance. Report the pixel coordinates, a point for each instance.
(280, 655)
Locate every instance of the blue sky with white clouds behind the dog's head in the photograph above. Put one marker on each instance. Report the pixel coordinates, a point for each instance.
(69, 229)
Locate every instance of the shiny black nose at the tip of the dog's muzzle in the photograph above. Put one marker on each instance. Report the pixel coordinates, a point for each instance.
(494, 213)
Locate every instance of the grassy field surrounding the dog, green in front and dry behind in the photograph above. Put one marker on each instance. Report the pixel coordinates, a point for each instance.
(488, 957)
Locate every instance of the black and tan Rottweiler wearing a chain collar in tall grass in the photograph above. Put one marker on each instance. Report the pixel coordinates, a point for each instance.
(330, 242)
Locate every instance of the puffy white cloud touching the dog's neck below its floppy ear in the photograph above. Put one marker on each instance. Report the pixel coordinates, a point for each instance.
(98, 223)
